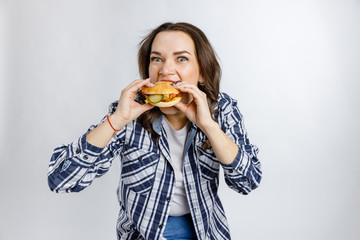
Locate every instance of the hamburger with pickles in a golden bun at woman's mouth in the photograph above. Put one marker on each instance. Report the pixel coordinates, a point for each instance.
(163, 94)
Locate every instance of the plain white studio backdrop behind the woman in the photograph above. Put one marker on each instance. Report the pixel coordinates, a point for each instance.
(293, 66)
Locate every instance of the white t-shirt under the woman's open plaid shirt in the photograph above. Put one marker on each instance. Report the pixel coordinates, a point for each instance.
(179, 204)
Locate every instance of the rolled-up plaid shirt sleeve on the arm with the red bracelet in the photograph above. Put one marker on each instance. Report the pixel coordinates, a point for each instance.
(74, 166)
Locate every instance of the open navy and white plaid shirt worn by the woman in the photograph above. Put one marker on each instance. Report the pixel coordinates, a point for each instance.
(147, 178)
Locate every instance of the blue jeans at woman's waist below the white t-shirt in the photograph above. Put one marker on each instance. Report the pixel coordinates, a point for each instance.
(179, 228)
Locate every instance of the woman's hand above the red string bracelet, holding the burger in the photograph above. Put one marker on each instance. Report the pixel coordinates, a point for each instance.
(128, 109)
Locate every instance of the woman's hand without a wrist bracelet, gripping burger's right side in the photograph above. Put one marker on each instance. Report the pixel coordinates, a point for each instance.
(197, 109)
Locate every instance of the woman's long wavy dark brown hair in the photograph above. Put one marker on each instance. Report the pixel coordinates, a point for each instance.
(208, 64)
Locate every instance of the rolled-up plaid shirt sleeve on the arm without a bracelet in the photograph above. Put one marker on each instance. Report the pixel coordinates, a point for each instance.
(244, 174)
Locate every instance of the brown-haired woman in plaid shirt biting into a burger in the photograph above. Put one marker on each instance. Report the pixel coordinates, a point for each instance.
(170, 157)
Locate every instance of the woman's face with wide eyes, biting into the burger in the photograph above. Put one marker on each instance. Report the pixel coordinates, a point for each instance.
(173, 58)
